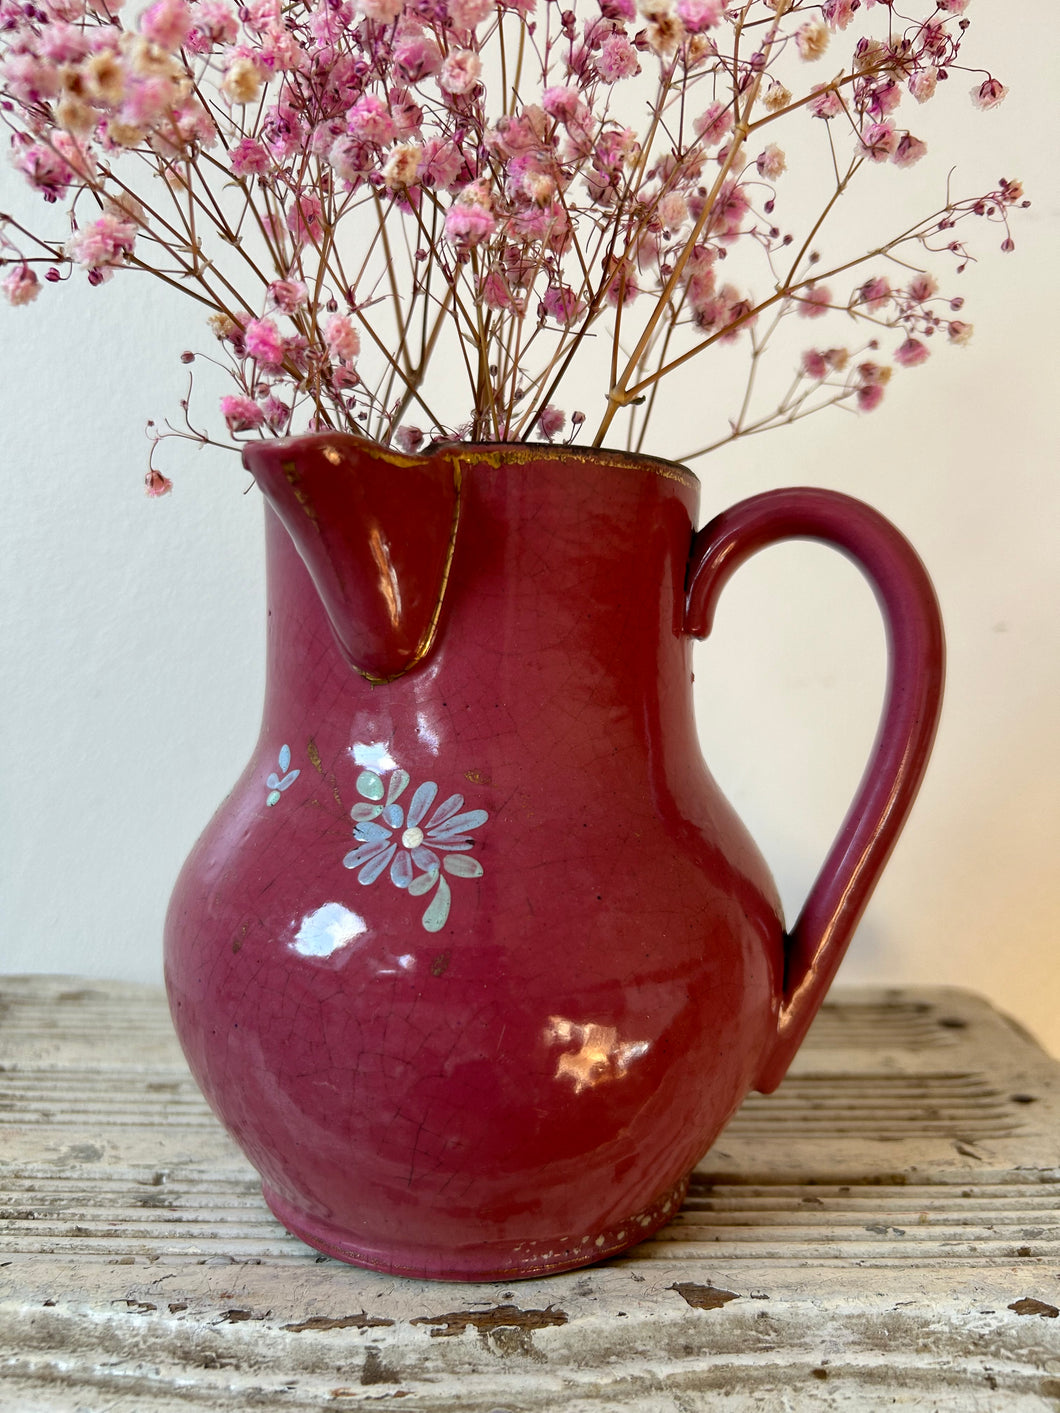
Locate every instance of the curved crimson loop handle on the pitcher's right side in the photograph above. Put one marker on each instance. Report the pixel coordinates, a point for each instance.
(816, 945)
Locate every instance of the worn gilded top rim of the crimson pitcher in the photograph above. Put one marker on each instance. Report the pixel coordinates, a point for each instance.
(494, 453)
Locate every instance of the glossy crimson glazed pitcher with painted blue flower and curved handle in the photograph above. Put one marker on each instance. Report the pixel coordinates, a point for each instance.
(476, 962)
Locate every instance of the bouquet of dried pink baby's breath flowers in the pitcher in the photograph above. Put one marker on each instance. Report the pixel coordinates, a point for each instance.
(416, 220)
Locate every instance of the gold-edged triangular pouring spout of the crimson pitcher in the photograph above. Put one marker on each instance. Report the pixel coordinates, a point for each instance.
(377, 532)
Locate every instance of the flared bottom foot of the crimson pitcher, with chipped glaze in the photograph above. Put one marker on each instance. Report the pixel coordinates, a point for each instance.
(485, 1261)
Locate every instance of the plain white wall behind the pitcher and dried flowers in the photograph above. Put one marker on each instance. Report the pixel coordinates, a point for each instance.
(132, 631)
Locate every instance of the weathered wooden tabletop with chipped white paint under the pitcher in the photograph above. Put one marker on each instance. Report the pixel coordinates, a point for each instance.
(883, 1231)
